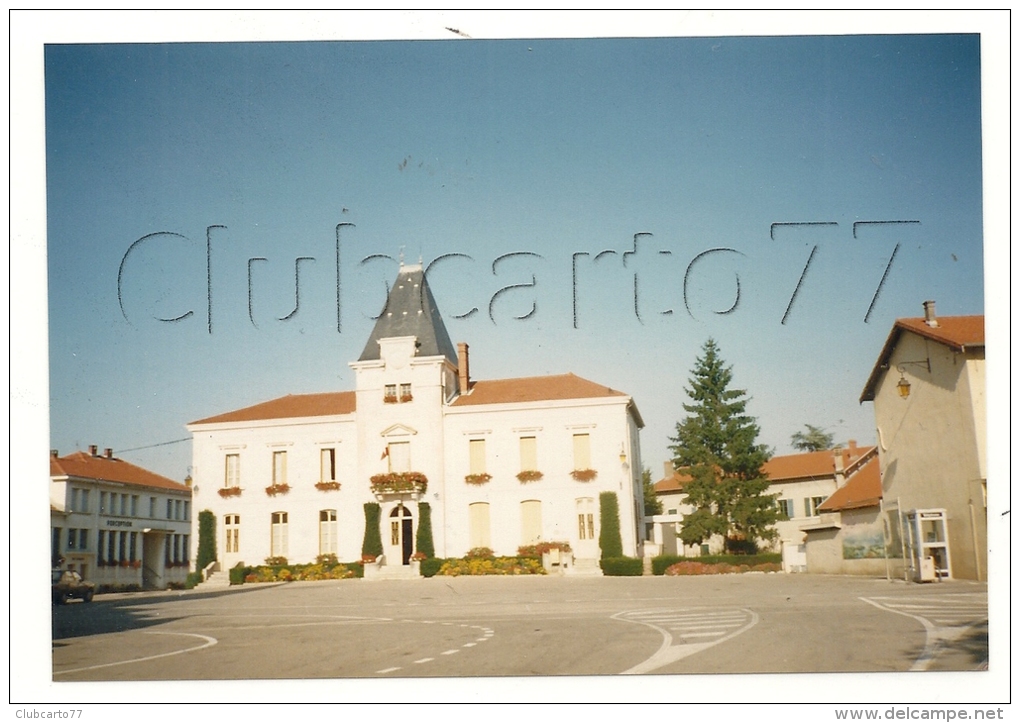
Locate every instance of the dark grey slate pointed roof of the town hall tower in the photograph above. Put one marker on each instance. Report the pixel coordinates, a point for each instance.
(411, 312)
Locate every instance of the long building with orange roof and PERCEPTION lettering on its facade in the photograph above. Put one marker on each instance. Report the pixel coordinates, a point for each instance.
(118, 525)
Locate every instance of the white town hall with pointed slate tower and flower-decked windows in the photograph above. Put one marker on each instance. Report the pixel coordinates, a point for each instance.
(501, 463)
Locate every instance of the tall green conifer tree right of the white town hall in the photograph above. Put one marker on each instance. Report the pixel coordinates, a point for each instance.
(717, 445)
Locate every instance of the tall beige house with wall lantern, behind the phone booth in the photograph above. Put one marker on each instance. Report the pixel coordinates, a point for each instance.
(929, 391)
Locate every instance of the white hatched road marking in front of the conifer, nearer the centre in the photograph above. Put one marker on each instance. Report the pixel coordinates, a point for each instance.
(670, 653)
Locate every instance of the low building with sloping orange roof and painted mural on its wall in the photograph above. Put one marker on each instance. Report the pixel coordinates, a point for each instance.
(849, 537)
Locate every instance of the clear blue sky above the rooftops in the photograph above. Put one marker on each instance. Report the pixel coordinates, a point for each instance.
(487, 148)
